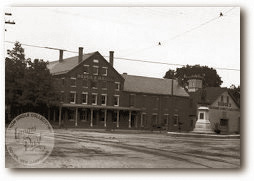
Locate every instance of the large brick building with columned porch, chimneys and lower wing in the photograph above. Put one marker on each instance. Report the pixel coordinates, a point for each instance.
(95, 95)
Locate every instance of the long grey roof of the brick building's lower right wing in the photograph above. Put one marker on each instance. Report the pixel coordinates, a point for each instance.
(152, 85)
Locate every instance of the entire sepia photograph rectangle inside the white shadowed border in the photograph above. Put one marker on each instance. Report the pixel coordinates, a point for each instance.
(122, 87)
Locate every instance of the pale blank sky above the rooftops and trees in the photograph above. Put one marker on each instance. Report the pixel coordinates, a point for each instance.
(188, 35)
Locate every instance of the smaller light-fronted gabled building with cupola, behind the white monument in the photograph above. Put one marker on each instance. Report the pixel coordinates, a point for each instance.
(221, 108)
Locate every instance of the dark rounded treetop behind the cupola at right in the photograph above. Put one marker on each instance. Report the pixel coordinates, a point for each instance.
(210, 76)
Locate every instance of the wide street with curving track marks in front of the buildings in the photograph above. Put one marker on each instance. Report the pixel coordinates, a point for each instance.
(91, 149)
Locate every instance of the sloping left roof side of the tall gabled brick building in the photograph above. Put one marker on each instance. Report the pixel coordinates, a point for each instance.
(66, 65)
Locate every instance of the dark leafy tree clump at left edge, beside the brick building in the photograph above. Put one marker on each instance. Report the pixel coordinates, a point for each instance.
(28, 84)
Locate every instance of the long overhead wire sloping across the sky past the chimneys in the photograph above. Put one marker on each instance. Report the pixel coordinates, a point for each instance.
(121, 58)
